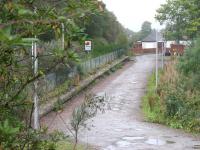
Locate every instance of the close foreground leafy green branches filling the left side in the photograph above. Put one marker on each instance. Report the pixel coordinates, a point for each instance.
(21, 20)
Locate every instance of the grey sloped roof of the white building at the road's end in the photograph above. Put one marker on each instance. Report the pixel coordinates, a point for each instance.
(152, 37)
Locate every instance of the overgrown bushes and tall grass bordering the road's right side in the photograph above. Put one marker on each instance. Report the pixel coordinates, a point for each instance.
(177, 99)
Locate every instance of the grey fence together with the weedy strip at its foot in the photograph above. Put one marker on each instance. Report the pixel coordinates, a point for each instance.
(64, 78)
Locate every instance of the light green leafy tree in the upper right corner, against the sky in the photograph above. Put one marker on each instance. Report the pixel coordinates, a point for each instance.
(182, 18)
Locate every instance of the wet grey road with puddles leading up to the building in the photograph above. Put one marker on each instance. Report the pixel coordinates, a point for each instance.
(123, 127)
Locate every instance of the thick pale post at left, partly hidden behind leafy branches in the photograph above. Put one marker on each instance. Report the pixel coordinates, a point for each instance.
(35, 96)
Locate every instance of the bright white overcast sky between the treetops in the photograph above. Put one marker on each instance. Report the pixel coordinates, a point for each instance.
(132, 13)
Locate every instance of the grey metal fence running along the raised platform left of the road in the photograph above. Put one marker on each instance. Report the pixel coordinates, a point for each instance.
(51, 81)
